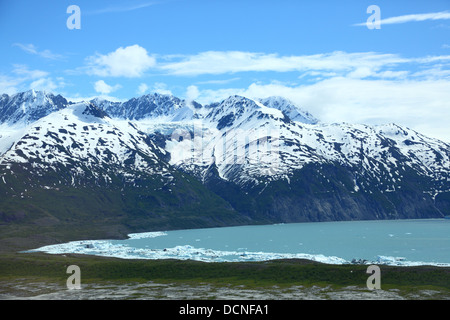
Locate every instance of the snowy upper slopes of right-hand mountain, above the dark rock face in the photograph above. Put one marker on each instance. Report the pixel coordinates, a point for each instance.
(247, 144)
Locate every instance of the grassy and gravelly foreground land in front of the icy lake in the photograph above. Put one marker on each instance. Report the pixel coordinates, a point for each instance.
(35, 270)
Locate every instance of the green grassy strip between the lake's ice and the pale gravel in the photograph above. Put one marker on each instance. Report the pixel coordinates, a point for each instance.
(41, 267)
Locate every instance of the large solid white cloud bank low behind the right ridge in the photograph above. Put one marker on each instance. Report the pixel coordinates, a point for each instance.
(421, 105)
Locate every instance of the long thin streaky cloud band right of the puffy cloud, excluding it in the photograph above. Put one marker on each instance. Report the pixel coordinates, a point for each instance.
(359, 65)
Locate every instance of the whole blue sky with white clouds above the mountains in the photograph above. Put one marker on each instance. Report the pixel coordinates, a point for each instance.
(354, 61)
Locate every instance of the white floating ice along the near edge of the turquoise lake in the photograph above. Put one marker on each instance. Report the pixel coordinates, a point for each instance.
(204, 250)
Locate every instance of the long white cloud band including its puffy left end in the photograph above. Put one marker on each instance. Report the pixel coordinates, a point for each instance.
(134, 62)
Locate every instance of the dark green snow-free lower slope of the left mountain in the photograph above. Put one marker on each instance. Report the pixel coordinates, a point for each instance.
(109, 210)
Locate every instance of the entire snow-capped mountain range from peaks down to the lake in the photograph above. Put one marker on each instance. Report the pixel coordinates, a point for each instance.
(159, 162)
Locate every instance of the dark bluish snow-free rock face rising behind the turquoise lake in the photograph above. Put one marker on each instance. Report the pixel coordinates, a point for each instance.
(309, 196)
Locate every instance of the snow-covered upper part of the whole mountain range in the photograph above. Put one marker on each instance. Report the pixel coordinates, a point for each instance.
(248, 141)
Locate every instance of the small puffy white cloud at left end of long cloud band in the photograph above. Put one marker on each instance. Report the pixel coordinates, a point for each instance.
(131, 62)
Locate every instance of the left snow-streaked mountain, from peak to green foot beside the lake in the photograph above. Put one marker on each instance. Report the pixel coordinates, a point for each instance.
(79, 167)
